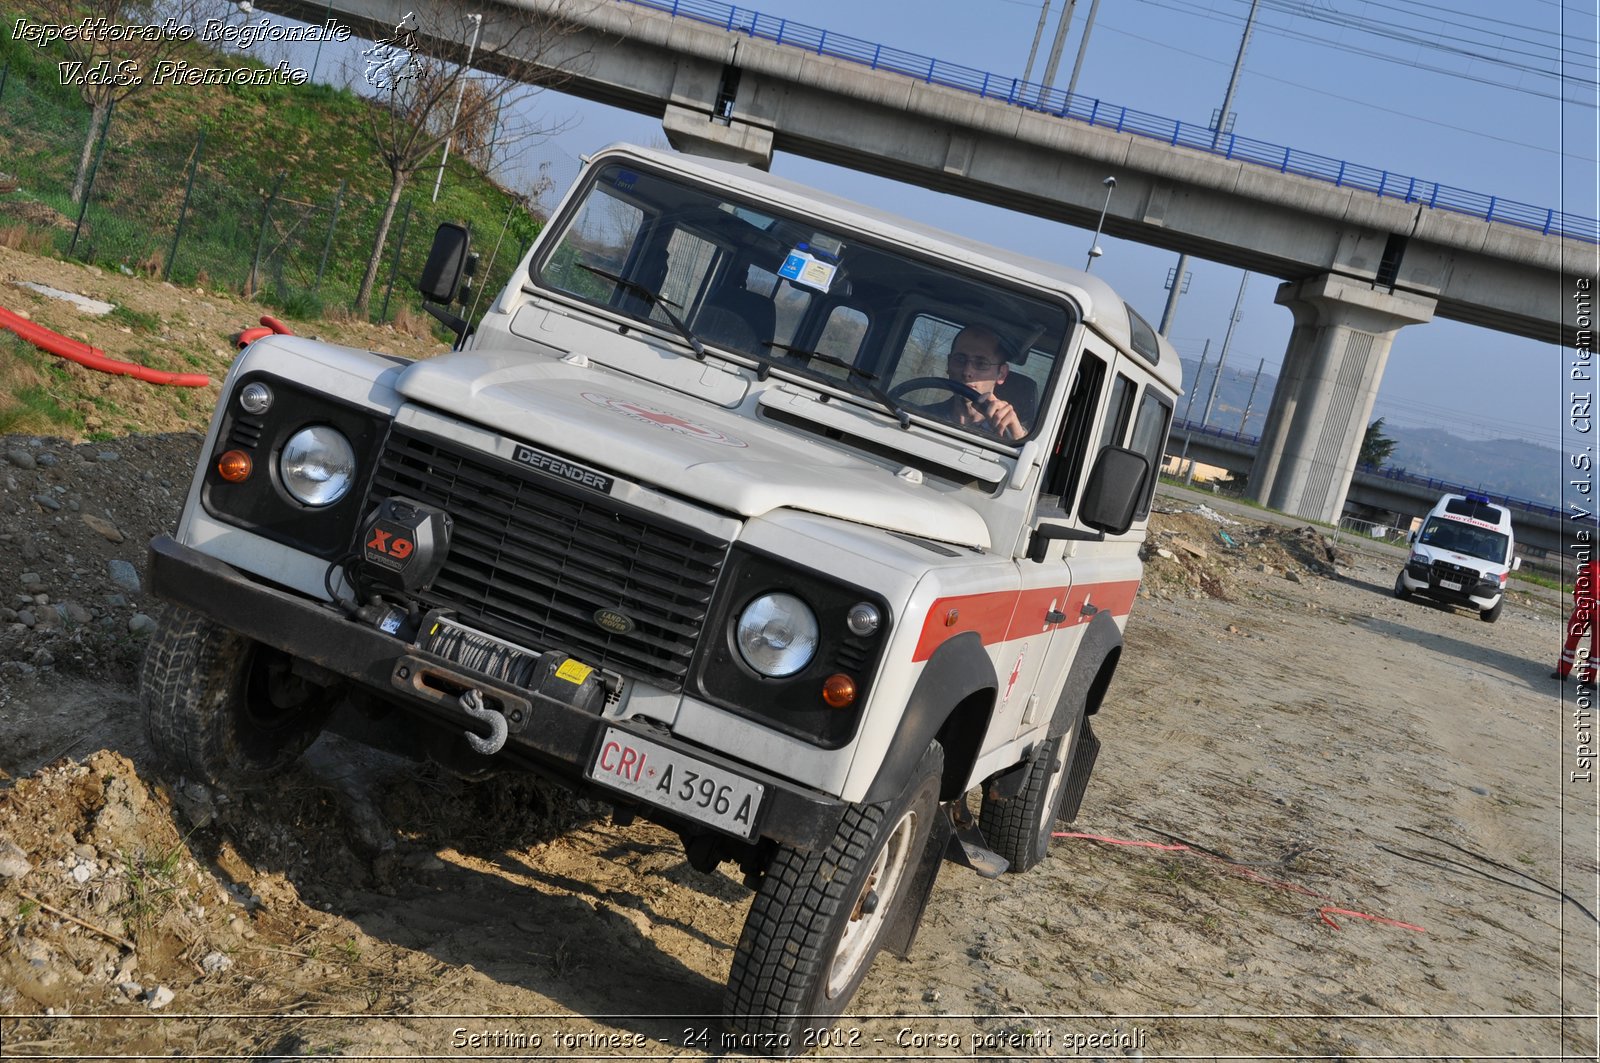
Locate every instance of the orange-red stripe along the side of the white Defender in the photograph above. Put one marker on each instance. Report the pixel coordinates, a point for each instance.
(1007, 616)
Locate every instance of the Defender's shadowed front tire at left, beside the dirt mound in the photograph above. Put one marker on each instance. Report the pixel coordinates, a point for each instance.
(223, 708)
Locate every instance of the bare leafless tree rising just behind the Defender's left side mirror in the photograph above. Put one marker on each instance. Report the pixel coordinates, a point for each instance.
(426, 94)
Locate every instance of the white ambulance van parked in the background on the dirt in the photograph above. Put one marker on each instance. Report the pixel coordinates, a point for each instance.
(1462, 555)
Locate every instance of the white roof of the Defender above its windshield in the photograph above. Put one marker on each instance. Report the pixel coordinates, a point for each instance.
(1103, 308)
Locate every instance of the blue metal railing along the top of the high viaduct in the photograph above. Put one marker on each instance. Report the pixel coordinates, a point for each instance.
(1098, 113)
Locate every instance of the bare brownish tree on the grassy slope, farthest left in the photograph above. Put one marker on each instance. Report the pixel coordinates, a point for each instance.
(114, 50)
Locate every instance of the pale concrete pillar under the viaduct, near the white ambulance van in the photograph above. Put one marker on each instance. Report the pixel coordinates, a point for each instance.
(1324, 401)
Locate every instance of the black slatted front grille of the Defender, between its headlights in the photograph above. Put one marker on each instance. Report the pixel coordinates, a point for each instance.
(532, 560)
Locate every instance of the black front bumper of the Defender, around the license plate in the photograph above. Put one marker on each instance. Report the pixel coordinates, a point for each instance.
(558, 737)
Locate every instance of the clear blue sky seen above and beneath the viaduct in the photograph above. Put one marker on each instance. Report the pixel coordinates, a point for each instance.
(1468, 94)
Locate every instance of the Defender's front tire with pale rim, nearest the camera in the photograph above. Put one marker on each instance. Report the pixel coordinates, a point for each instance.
(818, 920)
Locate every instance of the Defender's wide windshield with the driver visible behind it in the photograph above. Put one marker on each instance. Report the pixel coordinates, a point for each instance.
(745, 278)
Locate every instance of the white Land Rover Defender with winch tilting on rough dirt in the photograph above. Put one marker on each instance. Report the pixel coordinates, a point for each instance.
(703, 521)
